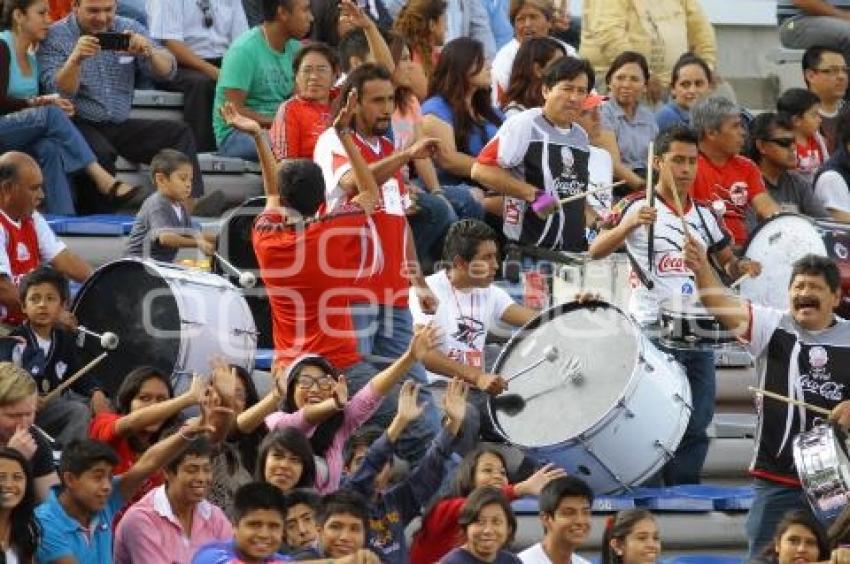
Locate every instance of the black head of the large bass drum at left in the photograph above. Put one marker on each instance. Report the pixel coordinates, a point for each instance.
(130, 300)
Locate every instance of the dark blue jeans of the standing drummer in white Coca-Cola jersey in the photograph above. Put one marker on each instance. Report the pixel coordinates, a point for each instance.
(686, 465)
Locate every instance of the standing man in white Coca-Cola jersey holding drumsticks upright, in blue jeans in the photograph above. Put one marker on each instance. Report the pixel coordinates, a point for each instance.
(664, 275)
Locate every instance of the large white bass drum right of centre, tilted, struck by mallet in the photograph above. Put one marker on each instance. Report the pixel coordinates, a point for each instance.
(611, 408)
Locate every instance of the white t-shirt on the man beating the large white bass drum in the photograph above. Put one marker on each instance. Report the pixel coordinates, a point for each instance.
(464, 316)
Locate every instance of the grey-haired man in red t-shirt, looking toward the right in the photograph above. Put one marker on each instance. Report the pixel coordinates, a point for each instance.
(722, 174)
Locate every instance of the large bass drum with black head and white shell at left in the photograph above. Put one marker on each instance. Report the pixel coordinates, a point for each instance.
(169, 317)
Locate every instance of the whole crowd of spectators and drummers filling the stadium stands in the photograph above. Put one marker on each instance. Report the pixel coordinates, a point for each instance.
(406, 149)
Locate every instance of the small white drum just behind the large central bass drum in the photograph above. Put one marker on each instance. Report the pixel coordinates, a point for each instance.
(609, 277)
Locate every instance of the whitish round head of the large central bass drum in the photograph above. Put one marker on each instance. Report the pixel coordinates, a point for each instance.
(596, 343)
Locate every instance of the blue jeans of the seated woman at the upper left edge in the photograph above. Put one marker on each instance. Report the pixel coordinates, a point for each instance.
(51, 138)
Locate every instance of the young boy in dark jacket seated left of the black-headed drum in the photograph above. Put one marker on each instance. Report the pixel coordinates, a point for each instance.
(45, 349)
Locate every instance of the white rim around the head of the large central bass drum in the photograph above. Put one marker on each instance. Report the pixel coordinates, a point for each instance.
(551, 313)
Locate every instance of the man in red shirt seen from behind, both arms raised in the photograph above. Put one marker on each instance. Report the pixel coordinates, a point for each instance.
(310, 265)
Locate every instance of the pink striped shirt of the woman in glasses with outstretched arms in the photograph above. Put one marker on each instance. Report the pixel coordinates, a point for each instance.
(357, 411)
